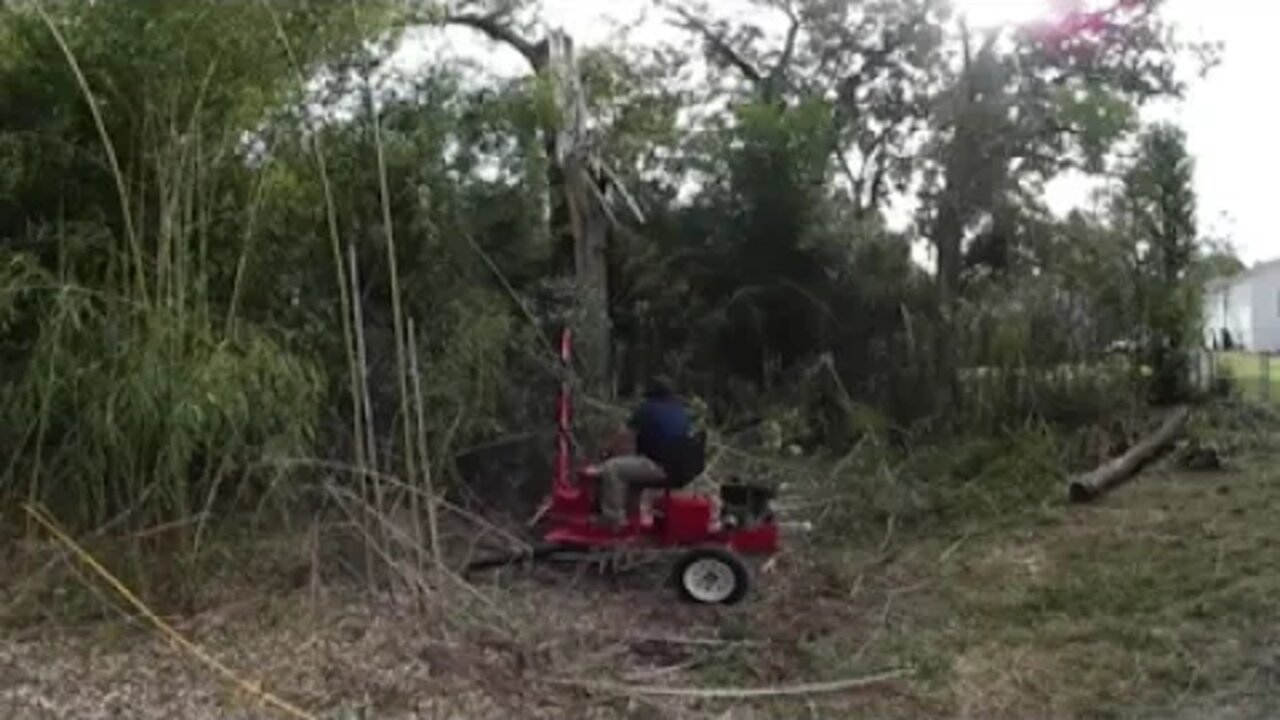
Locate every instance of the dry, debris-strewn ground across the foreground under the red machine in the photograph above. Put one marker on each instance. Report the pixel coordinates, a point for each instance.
(1162, 601)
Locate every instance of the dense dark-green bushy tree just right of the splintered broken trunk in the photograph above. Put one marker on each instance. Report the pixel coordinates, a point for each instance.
(756, 249)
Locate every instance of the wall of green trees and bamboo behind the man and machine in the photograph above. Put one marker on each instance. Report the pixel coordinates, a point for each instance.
(168, 327)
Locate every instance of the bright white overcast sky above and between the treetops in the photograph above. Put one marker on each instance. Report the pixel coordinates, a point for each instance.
(1228, 116)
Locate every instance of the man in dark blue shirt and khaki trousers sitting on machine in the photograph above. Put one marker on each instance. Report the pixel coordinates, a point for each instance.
(656, 450)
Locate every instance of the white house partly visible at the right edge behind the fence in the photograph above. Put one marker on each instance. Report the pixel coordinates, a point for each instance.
(1244, 312)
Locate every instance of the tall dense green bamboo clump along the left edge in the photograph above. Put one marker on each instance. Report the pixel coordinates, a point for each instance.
(121, 398)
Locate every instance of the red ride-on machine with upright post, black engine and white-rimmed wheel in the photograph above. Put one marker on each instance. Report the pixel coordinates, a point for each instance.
(710, 536)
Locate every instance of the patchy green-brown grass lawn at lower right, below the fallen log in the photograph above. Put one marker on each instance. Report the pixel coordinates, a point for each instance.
(1162, 601)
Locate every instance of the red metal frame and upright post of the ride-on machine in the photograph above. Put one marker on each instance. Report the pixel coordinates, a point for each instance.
(679, 520)
